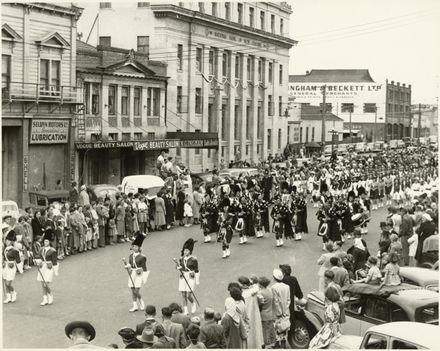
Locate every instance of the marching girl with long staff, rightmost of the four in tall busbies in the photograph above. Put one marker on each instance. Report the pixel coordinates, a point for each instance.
(189, 269)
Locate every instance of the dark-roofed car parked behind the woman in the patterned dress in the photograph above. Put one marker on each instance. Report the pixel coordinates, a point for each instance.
(366, 306)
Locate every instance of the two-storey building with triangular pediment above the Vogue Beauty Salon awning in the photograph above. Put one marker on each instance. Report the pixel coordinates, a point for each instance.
(124, 97)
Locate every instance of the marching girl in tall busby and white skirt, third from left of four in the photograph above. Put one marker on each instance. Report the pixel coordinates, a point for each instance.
(137, 269)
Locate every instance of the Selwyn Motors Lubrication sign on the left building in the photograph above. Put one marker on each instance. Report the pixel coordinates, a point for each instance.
(49, 131)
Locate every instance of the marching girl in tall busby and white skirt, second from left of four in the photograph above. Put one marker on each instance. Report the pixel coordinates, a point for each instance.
(48, 266)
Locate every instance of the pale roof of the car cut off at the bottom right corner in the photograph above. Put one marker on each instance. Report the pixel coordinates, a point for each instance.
(412, 331)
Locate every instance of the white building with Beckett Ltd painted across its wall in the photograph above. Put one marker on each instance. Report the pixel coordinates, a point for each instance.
(352, 95)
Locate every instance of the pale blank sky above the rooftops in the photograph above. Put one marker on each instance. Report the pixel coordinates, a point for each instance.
(394, 39)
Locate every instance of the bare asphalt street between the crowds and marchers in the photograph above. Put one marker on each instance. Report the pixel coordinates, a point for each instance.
(93, 286)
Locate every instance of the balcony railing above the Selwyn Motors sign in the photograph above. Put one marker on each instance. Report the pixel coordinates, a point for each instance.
(19, 91)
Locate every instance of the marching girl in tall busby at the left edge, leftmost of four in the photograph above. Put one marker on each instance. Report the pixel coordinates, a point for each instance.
(11, 263)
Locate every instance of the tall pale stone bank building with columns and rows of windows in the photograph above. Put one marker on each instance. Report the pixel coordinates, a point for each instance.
(228, 68)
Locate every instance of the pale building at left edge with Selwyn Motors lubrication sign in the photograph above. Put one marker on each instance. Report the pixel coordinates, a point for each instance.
(39, 97)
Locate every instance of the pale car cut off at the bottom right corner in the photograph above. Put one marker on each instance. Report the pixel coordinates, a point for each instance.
(391, 336)
